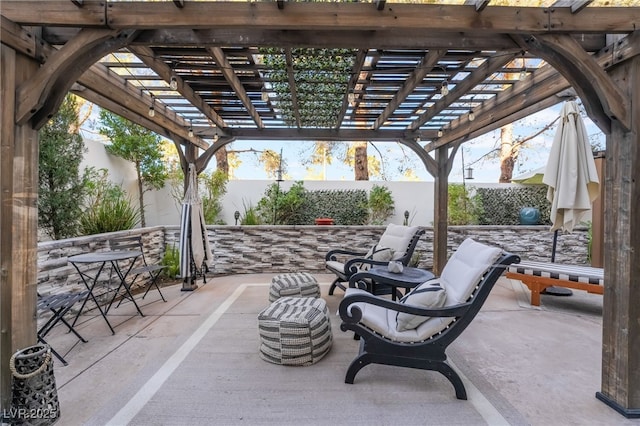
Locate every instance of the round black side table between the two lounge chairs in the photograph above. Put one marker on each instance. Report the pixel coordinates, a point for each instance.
(380, 275)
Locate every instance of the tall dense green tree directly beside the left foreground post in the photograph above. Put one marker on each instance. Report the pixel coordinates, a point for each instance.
(60, 182)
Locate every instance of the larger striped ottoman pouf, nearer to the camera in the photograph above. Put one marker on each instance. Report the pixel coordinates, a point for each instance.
(295, 331)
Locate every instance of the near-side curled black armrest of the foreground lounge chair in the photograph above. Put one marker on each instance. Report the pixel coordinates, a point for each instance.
(353, 314)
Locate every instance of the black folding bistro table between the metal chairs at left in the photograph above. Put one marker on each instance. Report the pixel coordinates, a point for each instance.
(105, 258)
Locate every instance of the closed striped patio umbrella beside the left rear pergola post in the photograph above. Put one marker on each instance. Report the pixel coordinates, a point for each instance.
(195, 253)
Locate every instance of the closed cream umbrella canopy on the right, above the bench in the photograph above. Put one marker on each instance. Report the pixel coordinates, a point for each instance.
(571, 171)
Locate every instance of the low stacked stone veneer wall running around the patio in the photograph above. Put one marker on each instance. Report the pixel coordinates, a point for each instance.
(276, 249)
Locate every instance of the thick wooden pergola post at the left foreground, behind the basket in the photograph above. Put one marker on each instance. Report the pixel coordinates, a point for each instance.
(18, 220)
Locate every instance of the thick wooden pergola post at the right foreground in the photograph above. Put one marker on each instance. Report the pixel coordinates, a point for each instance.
(621, 307)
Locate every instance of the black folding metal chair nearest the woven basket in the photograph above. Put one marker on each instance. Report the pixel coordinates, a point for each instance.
(58, 305)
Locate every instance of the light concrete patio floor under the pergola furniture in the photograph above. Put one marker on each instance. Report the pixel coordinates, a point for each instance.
(194, 360)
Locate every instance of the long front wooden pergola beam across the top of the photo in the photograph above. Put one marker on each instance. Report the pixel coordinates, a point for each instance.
(336, 16)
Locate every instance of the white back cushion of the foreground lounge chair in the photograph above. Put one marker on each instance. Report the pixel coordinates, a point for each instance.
(464, 269)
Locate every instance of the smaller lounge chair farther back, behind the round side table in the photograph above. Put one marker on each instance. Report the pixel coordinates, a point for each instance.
(396, 243)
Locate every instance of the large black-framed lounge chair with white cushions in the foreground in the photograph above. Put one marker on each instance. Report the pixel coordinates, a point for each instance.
(416, 331)
